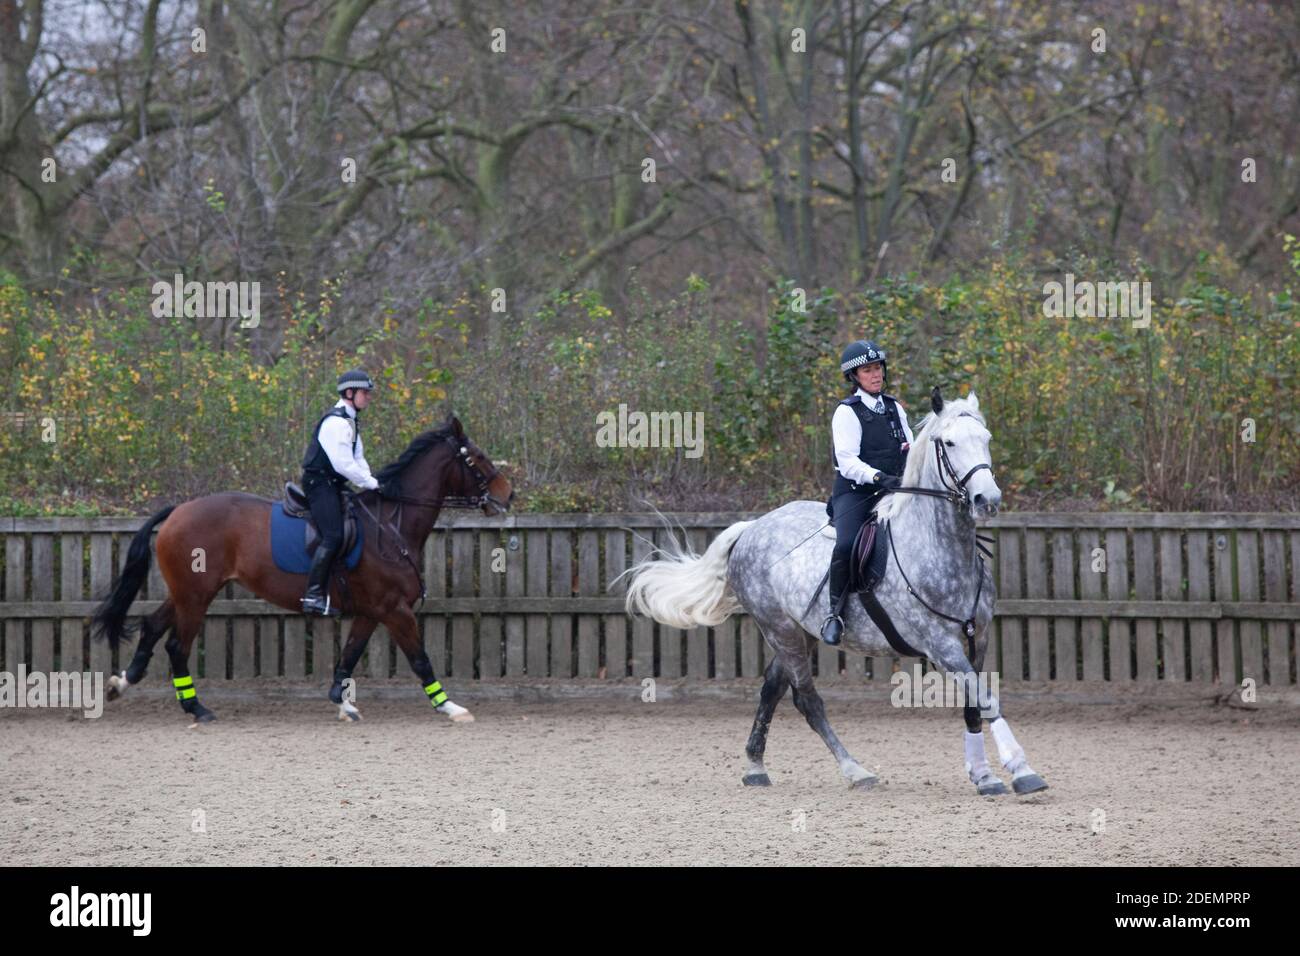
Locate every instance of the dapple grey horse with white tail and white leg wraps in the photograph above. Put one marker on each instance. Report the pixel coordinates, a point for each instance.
(935, 582)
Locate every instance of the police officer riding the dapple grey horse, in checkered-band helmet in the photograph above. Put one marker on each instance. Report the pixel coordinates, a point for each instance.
(870, 442)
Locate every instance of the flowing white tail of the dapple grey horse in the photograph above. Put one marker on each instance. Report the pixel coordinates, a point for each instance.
(683, 589)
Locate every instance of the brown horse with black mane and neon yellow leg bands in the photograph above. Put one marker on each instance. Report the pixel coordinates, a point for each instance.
(209, 542)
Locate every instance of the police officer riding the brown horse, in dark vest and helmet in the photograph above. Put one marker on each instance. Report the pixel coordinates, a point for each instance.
(333, 458)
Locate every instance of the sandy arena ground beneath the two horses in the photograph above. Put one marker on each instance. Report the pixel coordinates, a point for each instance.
(619, 782)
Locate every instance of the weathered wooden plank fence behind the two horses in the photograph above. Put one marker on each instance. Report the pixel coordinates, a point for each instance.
(1202, 598)
